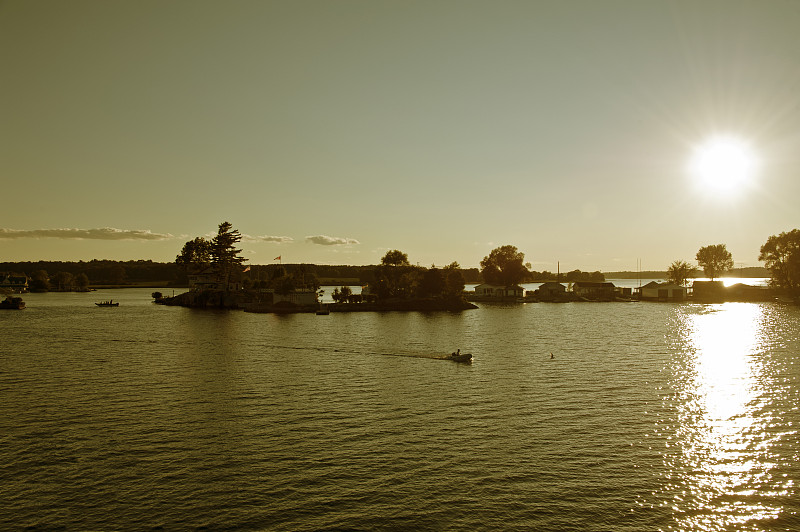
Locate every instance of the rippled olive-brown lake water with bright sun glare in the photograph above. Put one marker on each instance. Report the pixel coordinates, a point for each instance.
(650, 416)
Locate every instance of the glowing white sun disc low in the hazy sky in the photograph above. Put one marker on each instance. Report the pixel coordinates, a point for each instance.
(723, 164)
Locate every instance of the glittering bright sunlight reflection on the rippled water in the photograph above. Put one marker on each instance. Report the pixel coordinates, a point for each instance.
(723, 437)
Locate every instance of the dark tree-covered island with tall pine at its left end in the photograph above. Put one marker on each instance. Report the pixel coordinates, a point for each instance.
(218, 279)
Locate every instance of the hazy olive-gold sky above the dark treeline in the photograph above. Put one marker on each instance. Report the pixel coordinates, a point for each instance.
(331, 131)
